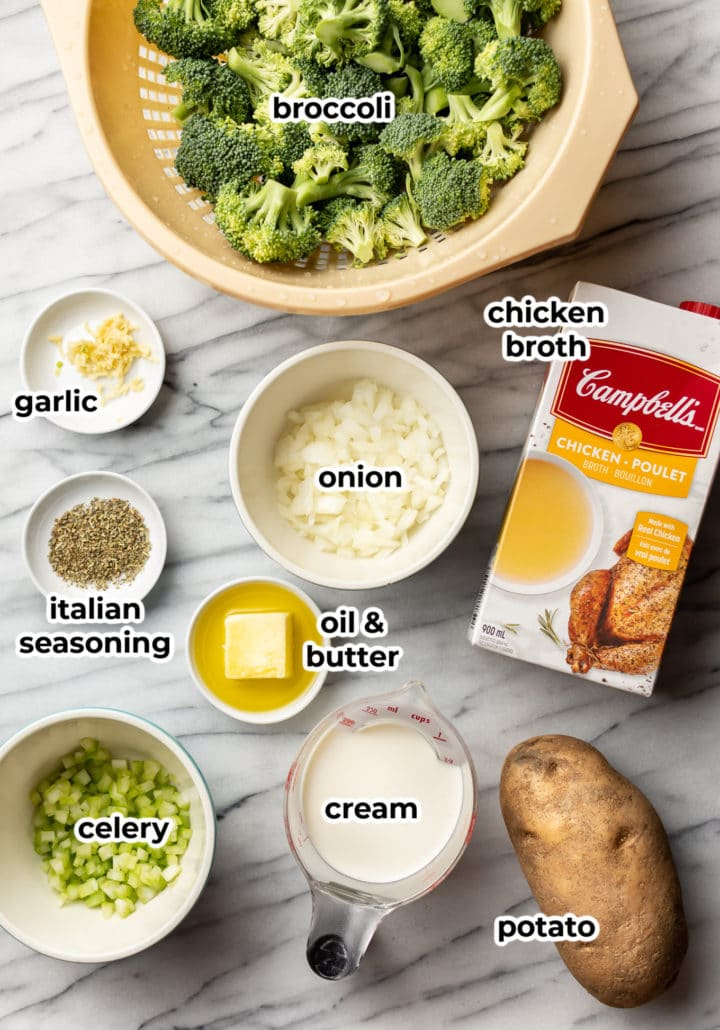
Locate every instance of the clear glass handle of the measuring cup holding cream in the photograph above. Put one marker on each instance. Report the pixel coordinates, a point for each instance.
(339, 936)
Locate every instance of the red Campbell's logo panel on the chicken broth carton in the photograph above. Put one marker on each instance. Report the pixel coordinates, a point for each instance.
(675, 404)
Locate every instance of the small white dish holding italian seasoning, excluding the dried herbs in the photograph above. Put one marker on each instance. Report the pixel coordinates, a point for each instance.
(81, 490)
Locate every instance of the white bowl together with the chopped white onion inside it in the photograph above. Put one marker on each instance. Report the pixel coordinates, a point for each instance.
(340, 405)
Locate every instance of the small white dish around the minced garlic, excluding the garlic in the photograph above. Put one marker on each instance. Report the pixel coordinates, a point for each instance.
(40, 358)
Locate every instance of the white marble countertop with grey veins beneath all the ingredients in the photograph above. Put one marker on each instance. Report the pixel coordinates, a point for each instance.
(238, 960)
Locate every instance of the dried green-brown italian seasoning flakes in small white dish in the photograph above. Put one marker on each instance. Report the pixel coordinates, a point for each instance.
(100, 544)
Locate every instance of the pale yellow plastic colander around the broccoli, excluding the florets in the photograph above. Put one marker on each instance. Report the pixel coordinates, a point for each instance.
(124, 110)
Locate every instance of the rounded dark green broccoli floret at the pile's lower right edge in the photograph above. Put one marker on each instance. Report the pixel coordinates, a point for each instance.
(451, 191)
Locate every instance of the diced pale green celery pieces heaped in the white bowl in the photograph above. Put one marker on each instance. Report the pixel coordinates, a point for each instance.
(112, 877)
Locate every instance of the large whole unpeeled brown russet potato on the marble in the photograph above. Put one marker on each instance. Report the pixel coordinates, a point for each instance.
(592, 844)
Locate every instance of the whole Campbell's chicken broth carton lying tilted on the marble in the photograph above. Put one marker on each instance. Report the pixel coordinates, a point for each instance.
(615, 474)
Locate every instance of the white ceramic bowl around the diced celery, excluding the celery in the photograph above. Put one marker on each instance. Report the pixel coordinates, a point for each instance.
(29, 908)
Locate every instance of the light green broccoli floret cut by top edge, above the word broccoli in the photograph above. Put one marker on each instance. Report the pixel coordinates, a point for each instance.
(336, 31)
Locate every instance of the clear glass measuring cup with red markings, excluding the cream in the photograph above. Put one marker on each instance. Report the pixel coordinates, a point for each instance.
(347, 911)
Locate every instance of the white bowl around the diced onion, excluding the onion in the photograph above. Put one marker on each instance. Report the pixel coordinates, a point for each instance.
(326, 373)
